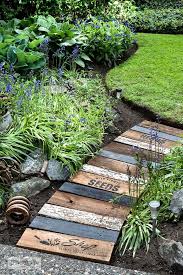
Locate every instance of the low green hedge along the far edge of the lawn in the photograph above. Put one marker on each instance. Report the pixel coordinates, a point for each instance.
(167, 20)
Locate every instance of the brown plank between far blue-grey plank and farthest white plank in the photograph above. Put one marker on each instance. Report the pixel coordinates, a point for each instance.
(146, 138)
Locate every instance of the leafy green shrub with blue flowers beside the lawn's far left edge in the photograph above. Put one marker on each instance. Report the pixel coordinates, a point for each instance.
(107, 40)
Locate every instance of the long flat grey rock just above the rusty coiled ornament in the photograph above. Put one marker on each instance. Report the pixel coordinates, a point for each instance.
(30, 187)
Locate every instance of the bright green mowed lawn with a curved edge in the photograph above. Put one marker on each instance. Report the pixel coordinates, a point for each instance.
(153, 76)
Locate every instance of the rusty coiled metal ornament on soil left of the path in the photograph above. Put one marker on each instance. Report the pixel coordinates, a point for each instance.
(18, 210)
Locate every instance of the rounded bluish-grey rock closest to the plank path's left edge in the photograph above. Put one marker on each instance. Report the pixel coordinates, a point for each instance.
(57, 171)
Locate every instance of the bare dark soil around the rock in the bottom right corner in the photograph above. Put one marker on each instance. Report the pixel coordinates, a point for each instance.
(151, 261)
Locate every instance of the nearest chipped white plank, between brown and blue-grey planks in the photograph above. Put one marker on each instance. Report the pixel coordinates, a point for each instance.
(83, 217)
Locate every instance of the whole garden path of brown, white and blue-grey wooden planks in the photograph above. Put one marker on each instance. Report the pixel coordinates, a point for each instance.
(80, 220)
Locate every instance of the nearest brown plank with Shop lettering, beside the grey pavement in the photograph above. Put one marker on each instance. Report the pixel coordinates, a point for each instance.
(66, 245)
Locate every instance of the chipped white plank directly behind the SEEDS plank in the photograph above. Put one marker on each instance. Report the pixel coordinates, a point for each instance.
(104, 172)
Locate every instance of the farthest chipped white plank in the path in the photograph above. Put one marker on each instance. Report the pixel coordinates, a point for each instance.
(142, 145)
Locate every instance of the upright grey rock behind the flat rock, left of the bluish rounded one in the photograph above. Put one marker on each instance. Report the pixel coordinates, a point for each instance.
(33, 162)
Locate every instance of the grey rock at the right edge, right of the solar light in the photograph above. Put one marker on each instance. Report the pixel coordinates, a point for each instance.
(176, 205)
